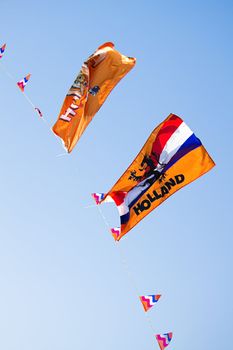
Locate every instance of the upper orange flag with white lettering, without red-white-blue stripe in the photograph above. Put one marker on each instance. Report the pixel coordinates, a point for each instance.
(98, 76)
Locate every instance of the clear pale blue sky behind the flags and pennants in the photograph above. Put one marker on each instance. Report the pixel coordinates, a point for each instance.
(63, 285)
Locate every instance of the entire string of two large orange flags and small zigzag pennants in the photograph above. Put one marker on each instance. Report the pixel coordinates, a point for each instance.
(160, 169)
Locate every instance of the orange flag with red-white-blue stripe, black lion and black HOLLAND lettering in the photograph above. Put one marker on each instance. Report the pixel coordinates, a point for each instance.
(171, 158)
